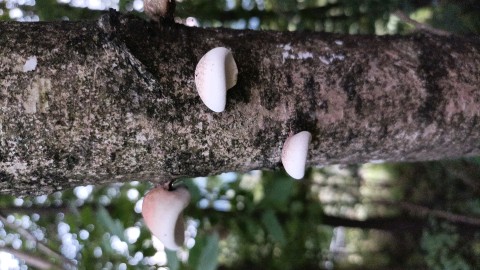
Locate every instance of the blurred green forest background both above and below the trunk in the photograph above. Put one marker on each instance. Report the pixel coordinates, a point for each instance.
(403, 216)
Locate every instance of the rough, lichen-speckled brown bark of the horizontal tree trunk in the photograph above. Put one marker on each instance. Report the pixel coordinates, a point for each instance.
(114, 100)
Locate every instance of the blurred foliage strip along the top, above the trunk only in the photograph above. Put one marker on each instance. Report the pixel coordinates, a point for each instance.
(340, 16)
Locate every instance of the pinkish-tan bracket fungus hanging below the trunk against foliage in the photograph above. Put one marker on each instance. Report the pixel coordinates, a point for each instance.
(162, 212)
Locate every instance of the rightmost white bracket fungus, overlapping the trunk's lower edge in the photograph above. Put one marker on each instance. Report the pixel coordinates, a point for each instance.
(294, 154)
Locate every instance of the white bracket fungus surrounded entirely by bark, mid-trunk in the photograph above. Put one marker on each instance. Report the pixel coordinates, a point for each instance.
(216, 72)
